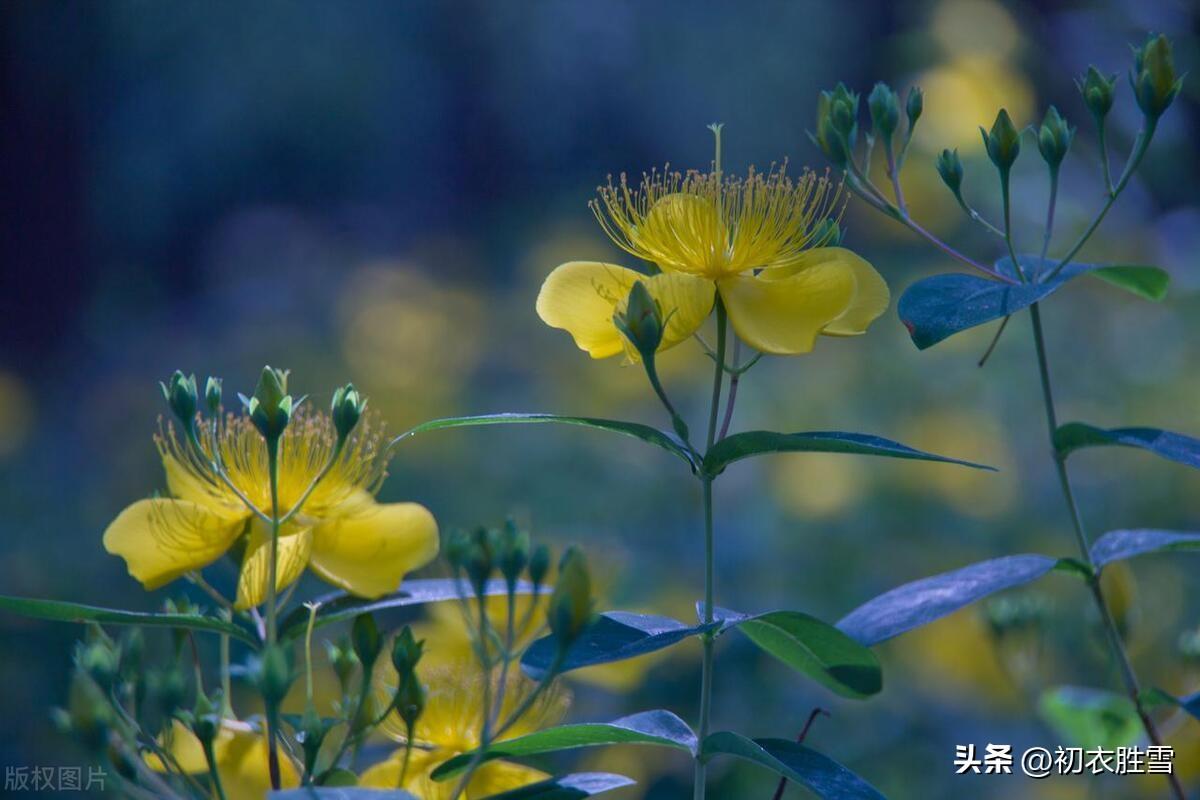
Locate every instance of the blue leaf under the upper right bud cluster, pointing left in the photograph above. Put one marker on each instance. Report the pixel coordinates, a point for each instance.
(944, 305)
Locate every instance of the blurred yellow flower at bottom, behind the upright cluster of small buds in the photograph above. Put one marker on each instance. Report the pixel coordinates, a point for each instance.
(451, 726)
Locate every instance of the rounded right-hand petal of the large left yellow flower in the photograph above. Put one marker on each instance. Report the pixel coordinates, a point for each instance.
(369, 551)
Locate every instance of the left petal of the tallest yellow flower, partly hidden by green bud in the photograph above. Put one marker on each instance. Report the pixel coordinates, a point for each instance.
(583, 297)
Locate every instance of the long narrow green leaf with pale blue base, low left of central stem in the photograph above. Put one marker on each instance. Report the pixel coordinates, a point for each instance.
(662, 729)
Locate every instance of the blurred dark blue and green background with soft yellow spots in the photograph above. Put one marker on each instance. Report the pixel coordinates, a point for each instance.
(374, 193)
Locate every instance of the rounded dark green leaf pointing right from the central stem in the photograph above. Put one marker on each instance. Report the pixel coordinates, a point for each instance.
(813, 648)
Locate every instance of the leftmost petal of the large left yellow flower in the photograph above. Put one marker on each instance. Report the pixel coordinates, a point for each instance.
(161, 539)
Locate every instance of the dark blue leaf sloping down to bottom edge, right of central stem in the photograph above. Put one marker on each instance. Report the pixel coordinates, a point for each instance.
(820, 774)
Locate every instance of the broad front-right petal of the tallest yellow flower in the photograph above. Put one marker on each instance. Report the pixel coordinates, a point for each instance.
(784, 317)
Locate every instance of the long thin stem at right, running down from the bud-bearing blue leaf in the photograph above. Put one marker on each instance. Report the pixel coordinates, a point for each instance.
(1129, 677)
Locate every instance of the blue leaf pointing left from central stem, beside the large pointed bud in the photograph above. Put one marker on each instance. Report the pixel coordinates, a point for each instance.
(614, 636)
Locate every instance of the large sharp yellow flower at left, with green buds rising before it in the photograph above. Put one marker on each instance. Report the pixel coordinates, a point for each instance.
(347, 538)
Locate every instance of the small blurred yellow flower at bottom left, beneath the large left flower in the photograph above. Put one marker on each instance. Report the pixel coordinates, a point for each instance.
(241, 755)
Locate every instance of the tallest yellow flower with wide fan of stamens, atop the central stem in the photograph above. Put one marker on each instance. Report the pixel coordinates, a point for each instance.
(757, 242)
